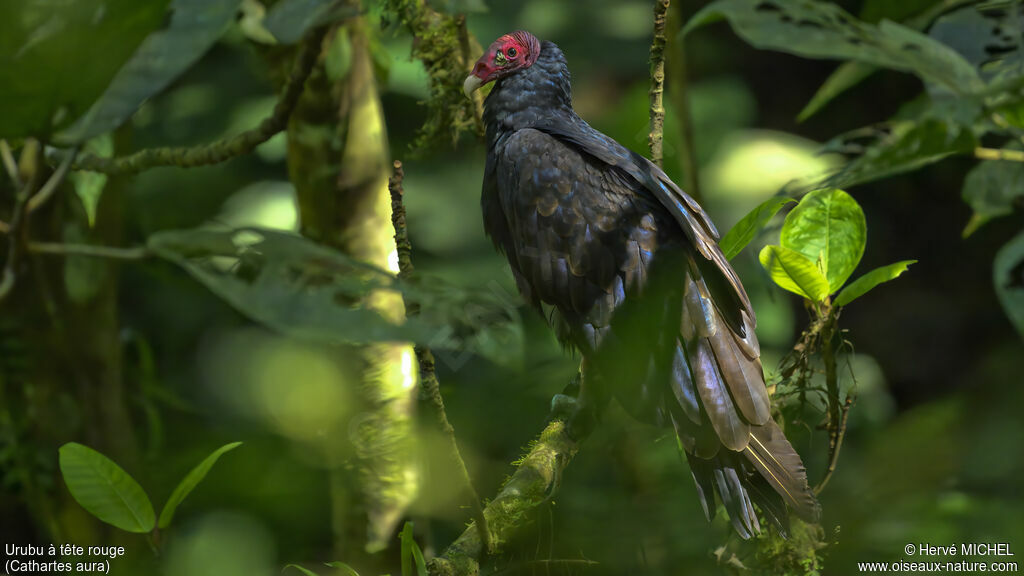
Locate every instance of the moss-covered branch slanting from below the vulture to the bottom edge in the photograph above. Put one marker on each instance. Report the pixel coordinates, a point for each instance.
(535, 480)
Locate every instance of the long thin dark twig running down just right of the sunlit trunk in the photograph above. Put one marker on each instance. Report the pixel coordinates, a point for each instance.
(429, 377)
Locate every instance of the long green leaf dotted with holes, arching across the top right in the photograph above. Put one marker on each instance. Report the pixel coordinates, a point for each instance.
(823, 30)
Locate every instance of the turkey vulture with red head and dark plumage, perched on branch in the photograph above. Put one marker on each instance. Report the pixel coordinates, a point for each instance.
(627, 268)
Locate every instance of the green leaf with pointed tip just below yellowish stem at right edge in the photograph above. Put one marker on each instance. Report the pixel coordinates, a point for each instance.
(994, 189)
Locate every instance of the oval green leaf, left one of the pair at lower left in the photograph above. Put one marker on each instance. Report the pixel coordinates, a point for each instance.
(106, 490)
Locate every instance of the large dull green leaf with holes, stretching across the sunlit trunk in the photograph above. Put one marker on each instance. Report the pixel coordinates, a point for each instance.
(307, 291)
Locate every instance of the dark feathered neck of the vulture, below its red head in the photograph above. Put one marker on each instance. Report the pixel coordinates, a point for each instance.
(527, 98)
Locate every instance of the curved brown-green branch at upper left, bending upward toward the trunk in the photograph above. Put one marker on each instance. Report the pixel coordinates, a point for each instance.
(227, 149)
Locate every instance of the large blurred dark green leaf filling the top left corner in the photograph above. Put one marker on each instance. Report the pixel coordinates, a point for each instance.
(57, 57)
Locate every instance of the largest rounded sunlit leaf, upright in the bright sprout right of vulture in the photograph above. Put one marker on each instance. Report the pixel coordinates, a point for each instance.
(829, 228)
